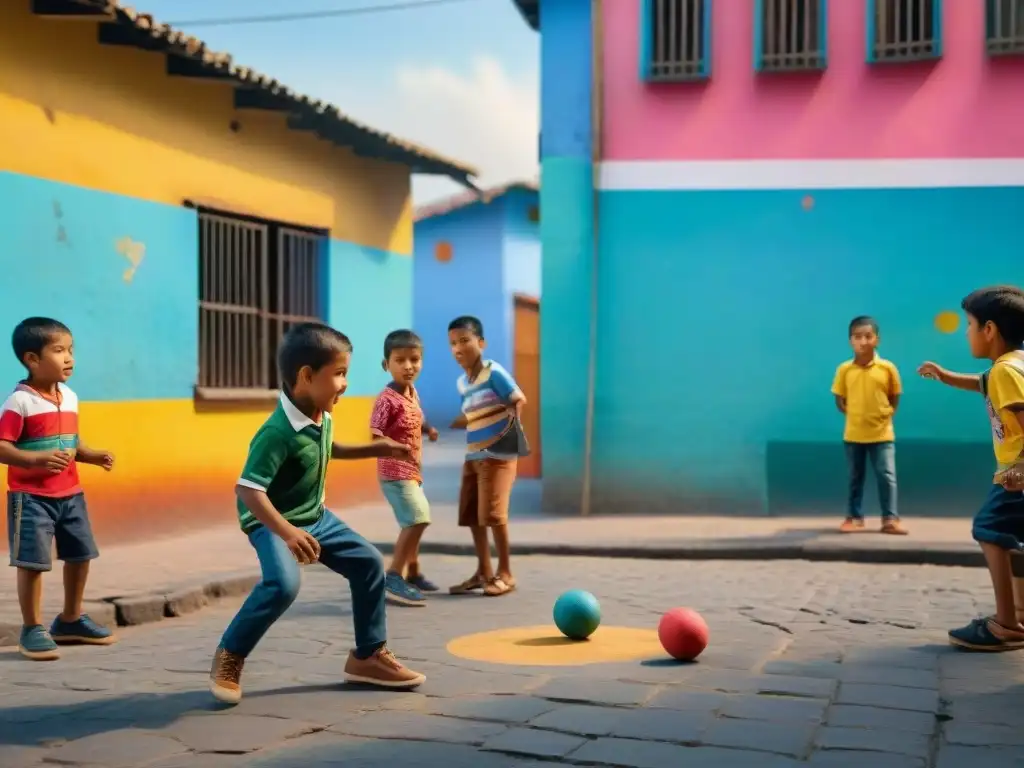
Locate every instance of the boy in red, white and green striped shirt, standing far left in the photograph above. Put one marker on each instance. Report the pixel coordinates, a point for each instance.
(39, 444)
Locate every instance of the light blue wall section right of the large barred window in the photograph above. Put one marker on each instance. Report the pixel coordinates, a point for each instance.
(370, 295)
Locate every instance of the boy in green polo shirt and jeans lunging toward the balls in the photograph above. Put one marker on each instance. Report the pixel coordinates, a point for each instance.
(281, 508)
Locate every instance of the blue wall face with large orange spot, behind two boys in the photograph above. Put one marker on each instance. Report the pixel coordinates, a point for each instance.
(471, 284)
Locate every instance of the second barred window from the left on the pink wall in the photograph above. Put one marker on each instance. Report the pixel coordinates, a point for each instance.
(791, 35)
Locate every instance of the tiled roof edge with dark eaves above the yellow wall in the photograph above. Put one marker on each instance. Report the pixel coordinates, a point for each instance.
(159, 37)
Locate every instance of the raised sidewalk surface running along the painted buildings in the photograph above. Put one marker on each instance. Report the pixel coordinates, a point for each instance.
(179, 565)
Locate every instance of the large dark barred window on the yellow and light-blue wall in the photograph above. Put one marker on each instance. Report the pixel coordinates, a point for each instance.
(257, 280)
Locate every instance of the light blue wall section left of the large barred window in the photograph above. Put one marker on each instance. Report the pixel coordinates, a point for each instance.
(134, 340)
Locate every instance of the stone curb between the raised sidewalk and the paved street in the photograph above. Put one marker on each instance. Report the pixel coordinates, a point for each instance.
(133, 610)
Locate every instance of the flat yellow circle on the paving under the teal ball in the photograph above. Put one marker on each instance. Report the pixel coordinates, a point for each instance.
(546, 647)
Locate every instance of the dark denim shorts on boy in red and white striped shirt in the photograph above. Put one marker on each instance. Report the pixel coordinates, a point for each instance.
(35, 523)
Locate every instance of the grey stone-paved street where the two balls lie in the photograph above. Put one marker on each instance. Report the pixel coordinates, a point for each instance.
(819, 665)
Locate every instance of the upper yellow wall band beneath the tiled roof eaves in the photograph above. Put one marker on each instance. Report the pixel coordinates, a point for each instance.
(109, 118)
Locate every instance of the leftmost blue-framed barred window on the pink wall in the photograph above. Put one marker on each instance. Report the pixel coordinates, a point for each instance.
(675, 40)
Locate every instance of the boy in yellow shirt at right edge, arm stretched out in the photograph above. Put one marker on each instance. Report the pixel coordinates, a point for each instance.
(996, 332)
